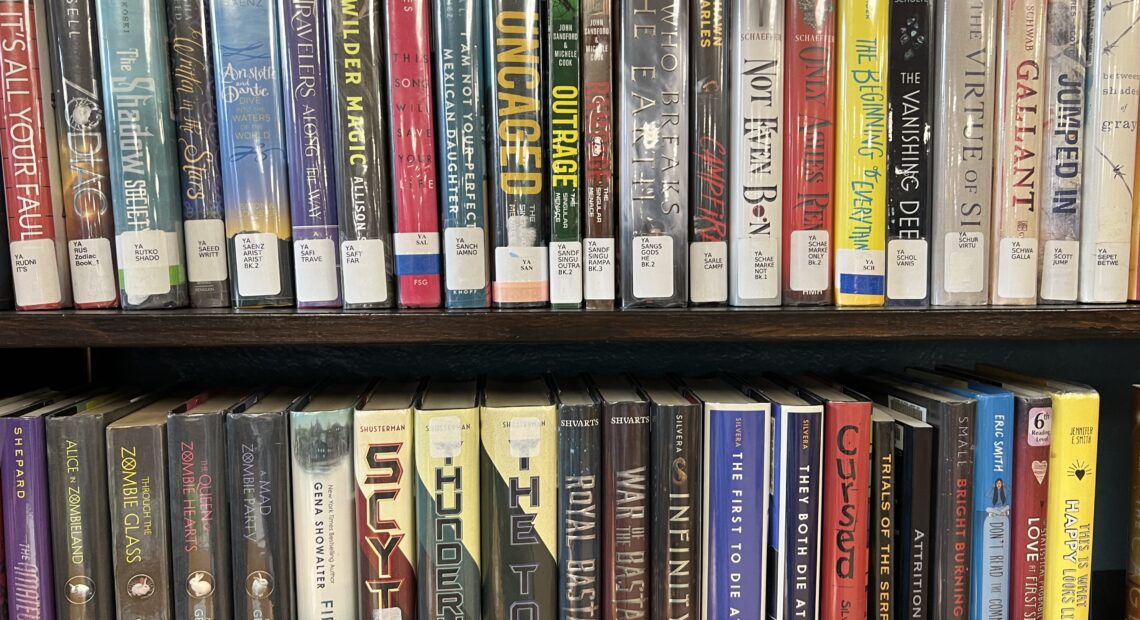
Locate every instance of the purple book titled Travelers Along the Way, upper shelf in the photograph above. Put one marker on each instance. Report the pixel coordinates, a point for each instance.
(310, 148)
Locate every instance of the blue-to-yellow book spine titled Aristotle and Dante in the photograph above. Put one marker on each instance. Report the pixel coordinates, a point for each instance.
(251, 140)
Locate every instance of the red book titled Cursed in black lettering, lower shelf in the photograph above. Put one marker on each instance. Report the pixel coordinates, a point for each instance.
(845, 524)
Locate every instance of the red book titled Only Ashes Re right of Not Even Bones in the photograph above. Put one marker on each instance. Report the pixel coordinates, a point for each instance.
(810, 151)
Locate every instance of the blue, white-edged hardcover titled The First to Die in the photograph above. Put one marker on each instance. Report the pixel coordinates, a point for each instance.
(736, 475)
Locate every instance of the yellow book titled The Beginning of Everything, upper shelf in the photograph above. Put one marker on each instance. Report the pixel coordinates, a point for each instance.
(861, 153)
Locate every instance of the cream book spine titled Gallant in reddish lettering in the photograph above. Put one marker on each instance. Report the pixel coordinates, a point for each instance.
(1017, 166)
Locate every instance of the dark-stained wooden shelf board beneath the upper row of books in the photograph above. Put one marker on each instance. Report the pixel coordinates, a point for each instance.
(294, 328)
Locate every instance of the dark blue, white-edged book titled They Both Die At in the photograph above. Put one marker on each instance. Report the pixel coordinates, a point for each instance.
(794, 549)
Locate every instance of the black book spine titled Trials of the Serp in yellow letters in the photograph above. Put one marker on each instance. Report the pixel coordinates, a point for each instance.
(884, 595)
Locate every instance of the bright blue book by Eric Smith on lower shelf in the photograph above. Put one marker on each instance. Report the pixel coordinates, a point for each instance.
(994, 491)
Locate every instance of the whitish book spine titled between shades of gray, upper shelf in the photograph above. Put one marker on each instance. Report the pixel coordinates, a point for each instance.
(1106, 205)
